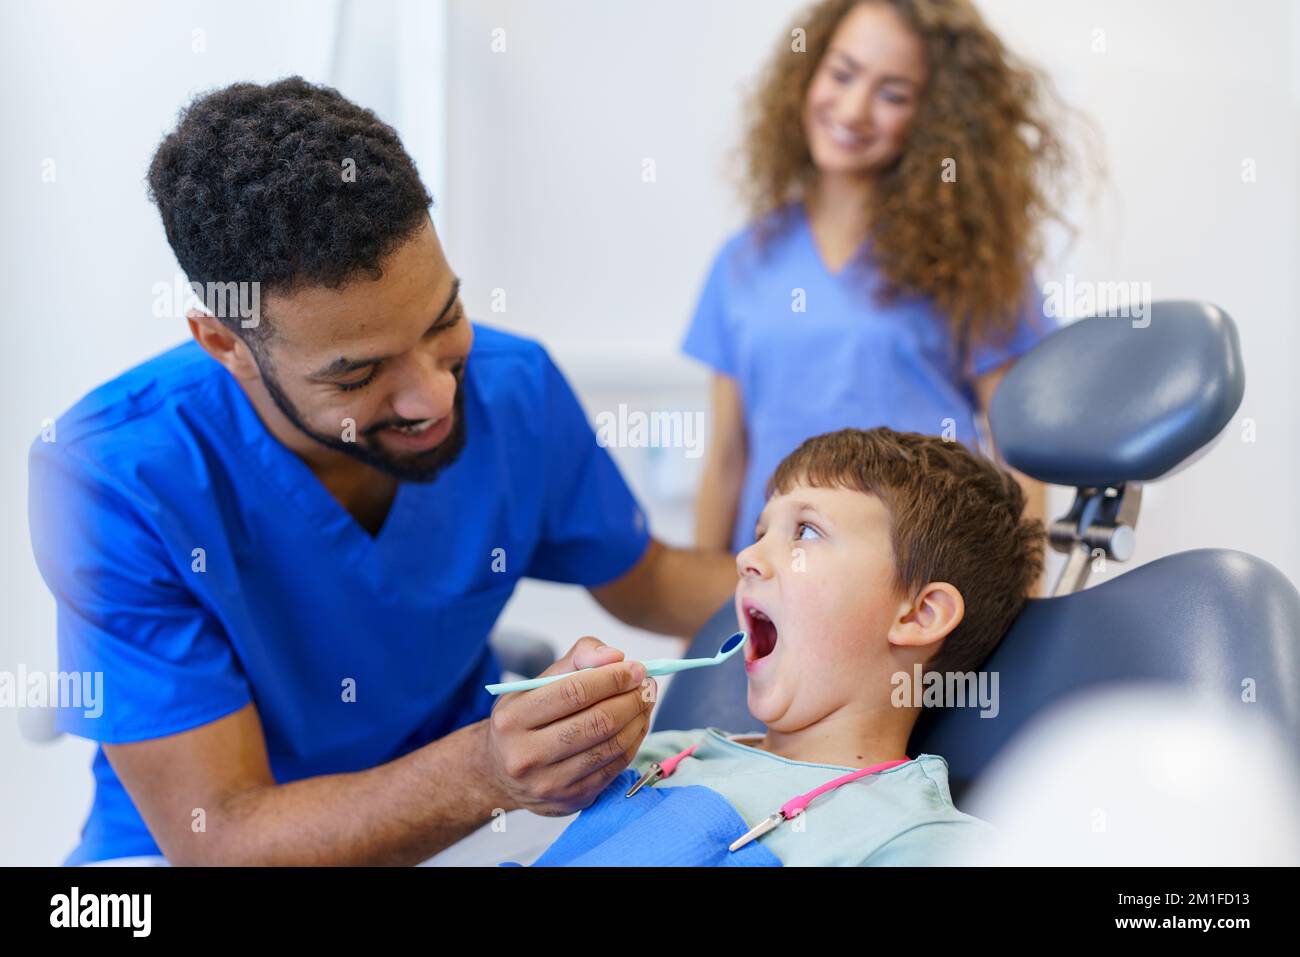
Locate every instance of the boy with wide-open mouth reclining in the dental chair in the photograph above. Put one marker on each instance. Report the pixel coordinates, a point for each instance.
(878, 551)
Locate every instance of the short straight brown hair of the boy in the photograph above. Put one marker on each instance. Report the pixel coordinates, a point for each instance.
(955, 517)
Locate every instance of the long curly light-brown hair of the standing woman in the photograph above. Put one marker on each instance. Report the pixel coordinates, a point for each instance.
(969, 245)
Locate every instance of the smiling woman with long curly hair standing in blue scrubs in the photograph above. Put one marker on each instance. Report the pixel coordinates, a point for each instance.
(885, 278)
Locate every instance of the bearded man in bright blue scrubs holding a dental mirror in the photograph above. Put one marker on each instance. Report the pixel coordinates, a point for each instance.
(287, 543)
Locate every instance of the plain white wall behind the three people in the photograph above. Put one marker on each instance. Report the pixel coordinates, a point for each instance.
(541, 196)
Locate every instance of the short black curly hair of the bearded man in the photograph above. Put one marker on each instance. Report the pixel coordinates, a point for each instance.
(253, 187)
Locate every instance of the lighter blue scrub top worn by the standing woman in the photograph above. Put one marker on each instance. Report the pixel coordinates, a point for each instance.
(844, 361)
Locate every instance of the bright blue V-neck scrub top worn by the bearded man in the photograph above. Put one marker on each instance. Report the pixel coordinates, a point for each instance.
(292, 604)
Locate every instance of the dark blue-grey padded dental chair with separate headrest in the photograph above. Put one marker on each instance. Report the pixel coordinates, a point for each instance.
(1103, 406)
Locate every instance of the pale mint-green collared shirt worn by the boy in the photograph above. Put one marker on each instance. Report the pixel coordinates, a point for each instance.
(902, 817)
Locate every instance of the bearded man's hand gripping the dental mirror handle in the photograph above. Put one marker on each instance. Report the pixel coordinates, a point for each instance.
(553, 750)
